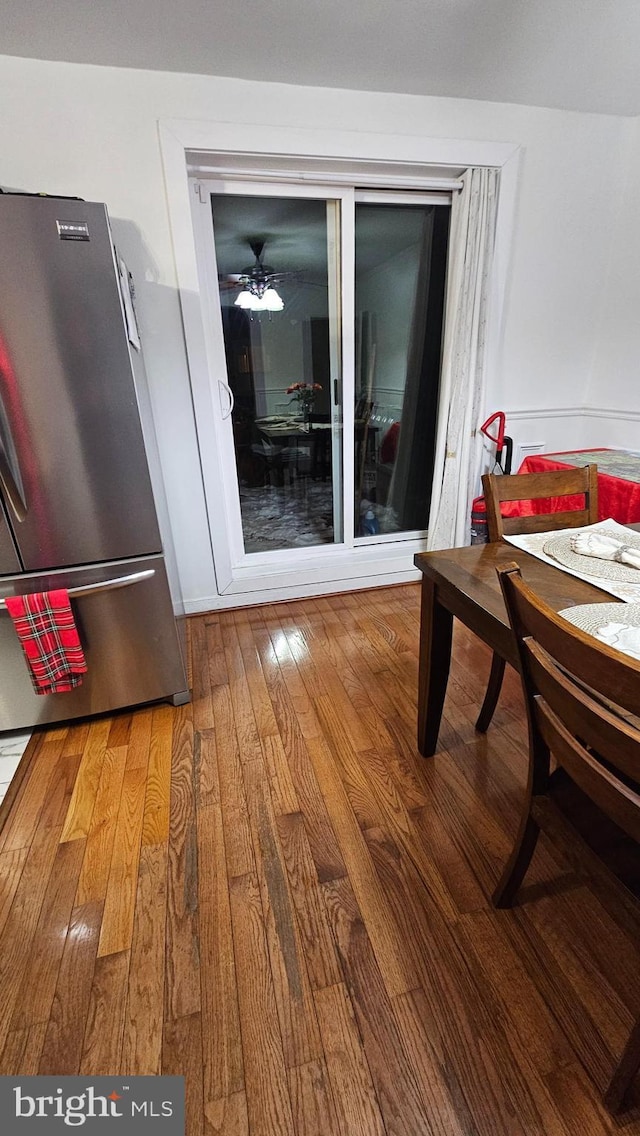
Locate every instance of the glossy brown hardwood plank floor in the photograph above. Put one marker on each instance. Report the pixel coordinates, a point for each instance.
(270, 892)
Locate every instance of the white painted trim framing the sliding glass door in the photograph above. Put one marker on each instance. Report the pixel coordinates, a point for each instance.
(333, 567)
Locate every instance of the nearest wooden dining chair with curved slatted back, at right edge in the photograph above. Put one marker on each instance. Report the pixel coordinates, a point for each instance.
(581, 696)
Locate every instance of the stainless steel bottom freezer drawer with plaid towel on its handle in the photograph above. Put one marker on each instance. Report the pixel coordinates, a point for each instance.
(129, 636)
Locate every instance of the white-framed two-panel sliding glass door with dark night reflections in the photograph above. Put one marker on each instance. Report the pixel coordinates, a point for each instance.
(325, 331)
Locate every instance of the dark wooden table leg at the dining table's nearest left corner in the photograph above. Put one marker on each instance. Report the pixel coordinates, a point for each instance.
(436, 632)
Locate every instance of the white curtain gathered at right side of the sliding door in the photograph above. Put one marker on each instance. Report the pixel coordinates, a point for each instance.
(462, 383)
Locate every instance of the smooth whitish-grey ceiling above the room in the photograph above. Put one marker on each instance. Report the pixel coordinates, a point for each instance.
(573, 55)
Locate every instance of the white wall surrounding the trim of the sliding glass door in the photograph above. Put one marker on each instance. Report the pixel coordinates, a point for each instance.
(93, 132)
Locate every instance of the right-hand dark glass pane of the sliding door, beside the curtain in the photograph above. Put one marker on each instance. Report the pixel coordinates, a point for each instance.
(401, 273)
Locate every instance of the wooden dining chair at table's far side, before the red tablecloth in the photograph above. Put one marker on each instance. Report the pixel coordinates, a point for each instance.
(551, 487)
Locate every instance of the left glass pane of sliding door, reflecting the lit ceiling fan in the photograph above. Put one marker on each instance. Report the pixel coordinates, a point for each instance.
(279, 282)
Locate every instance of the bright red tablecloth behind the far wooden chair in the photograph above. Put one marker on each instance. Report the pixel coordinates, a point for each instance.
(618, 497)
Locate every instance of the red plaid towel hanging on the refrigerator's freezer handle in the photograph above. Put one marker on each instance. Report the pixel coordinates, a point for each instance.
(46, 629)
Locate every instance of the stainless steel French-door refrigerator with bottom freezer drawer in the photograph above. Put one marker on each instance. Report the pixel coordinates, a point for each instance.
(77, 504)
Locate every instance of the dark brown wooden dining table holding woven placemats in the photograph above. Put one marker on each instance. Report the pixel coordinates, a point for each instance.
(463, 583)
